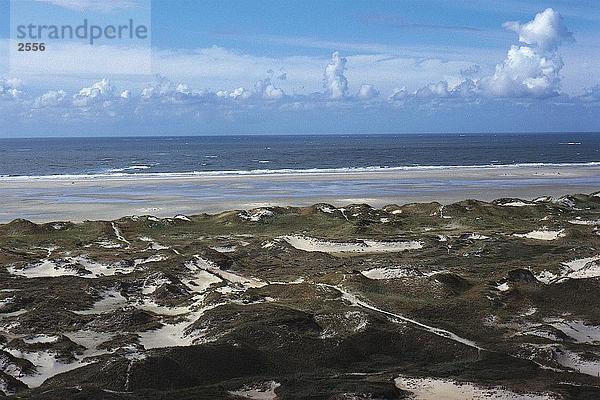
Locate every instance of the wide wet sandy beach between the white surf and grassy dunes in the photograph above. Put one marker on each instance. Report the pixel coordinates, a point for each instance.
(91, 197)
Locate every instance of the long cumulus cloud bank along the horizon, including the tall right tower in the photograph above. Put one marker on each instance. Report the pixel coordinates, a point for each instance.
(527, 80)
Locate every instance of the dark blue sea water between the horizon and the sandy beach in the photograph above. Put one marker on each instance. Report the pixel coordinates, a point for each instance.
(211, 154)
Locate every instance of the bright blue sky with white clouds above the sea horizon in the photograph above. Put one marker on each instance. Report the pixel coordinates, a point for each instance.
(304, 67)
